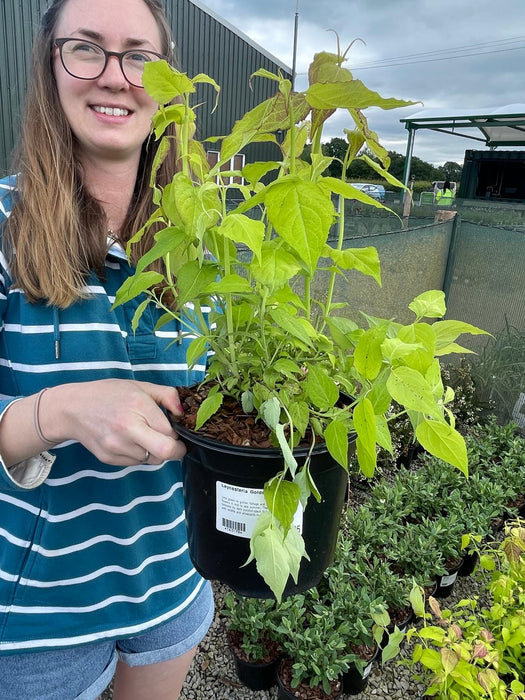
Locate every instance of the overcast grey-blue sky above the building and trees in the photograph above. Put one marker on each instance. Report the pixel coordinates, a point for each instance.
(482, 43)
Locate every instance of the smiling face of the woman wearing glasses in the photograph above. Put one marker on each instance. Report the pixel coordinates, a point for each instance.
(89, 105)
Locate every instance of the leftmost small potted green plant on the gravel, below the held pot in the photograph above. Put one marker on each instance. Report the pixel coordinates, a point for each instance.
(252, 639)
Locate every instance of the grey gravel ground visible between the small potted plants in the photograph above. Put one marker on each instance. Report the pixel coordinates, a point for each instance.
(212, 675)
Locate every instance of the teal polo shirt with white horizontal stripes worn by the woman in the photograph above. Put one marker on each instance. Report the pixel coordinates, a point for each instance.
(88, 551)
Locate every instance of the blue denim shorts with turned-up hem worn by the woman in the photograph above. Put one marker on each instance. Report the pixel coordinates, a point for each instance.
(82, 673)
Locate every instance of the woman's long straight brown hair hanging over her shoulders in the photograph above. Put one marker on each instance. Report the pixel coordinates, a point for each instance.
(57, 231)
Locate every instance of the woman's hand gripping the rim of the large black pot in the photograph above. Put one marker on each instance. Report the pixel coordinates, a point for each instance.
(120, 421)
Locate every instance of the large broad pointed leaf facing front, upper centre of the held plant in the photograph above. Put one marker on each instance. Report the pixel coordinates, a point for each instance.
(301, 212)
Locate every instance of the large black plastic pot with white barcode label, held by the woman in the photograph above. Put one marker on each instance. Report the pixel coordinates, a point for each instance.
(223, 492)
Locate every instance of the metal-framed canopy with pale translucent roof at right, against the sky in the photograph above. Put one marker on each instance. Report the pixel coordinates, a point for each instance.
(501, 126)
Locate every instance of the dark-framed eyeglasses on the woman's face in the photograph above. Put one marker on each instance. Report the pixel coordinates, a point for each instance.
(87, 61)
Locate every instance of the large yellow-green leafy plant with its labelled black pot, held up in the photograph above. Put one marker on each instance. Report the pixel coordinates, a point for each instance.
(286, 362)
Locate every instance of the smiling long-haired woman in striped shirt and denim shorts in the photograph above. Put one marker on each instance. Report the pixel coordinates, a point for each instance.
(95, 577)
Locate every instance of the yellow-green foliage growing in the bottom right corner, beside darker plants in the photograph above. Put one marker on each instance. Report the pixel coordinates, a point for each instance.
(475, 652)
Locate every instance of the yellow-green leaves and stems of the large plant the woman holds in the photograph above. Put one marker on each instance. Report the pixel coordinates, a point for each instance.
(272, 345)
